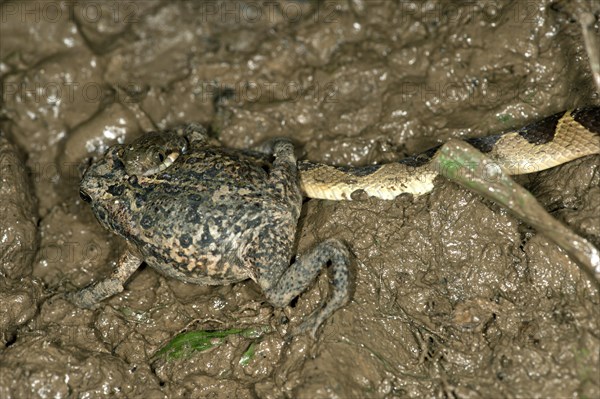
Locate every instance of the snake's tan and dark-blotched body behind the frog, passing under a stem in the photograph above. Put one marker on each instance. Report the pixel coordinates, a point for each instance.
(555, 140)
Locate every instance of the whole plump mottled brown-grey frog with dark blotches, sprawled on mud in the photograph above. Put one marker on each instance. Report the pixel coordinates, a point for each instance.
(205, 214)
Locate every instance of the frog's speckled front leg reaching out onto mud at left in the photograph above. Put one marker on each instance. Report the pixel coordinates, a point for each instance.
(100, 290)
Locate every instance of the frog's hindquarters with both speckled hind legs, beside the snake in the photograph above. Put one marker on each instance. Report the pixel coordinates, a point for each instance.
(280, 281)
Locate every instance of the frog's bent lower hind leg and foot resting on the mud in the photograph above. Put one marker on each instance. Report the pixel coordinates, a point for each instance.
(300, 275)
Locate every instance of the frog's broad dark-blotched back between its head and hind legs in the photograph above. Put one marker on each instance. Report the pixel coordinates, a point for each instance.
(196, 218)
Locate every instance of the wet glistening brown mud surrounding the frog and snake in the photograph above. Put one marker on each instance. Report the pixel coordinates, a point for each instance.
(453, 297)
